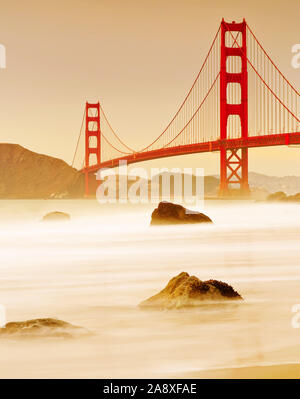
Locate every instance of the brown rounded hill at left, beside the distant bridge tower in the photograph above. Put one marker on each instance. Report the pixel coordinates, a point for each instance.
(26, 174)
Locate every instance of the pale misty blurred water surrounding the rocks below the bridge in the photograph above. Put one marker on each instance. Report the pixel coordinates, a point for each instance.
(94, 270)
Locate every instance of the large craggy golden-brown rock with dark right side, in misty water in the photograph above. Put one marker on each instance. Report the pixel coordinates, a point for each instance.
(185, 290)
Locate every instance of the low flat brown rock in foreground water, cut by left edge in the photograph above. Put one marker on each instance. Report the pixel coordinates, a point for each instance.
(41, 328)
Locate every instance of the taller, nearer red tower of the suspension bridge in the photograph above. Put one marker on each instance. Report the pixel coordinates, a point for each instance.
(233, 163)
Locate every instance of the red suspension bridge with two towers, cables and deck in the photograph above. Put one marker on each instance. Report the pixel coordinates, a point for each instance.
(239, 100)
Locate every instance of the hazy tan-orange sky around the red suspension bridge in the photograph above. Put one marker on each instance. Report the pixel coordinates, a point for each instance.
(139, 58)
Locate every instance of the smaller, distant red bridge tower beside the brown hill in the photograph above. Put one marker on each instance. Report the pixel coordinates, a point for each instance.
(92, 129)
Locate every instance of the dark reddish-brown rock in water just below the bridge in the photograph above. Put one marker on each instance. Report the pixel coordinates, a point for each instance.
(168, 213)
